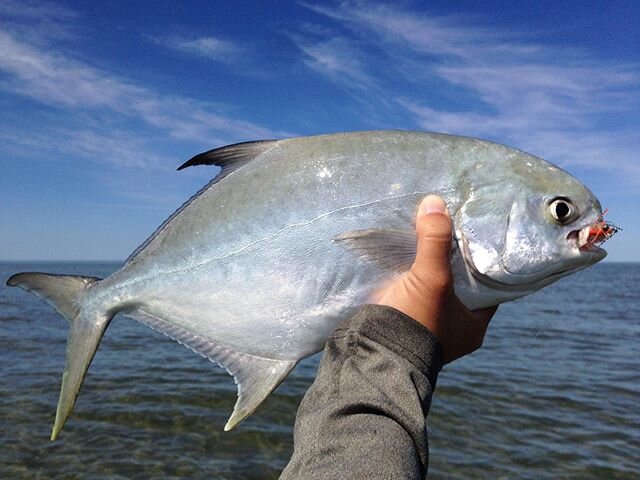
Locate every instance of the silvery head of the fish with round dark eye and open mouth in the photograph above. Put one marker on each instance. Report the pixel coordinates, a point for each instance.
(527, 227)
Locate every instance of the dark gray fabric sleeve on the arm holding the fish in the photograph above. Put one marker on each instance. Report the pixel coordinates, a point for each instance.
(365, 414)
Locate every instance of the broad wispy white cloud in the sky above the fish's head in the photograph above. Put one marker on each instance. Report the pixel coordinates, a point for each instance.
(455, 75)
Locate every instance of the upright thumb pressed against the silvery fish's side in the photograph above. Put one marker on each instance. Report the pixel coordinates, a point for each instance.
(433, 230)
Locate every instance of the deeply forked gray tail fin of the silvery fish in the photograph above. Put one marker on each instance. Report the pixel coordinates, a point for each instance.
(65, 293)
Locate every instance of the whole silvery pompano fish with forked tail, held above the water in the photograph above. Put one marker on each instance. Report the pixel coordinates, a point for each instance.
(255, 270)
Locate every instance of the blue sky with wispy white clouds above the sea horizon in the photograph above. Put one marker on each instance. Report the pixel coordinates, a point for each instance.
(101, 101)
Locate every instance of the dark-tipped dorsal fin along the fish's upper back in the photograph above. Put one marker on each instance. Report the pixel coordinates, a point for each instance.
(229, 158)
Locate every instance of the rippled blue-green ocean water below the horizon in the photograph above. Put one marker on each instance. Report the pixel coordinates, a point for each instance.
(554, 393)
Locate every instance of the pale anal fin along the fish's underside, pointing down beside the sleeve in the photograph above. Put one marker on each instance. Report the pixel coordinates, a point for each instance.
(255, 376)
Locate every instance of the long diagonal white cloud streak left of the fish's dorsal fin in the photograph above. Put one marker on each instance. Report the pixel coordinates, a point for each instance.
(55, 79)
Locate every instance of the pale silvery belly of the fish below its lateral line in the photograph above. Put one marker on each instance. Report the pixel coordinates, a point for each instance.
(278, 297)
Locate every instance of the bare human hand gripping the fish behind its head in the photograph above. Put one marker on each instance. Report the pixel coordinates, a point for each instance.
(425, 292)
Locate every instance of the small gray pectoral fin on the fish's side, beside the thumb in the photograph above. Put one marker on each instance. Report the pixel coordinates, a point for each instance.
(393, 250)
